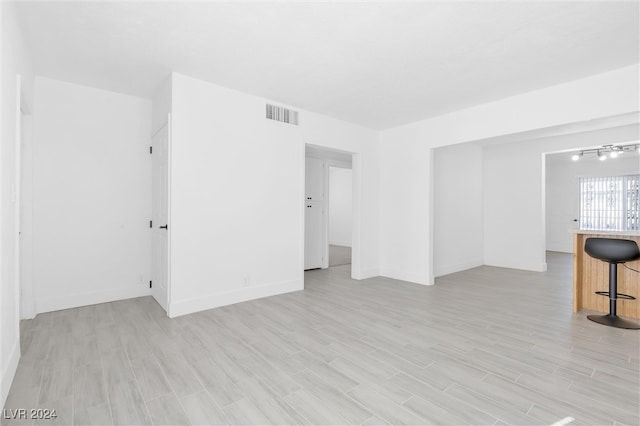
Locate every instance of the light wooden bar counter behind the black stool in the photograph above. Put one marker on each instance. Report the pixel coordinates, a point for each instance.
(591, 275)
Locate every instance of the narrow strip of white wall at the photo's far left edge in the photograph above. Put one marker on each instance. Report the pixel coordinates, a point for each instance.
(14, 60)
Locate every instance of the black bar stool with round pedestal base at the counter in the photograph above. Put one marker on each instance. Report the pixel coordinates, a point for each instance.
(613, 251)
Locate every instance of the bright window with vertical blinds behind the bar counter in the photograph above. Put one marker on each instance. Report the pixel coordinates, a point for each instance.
(610, 203)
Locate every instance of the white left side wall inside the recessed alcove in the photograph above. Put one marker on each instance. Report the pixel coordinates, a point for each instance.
(457, 208)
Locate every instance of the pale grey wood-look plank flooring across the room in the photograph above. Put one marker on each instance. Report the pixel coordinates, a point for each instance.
(484, 346)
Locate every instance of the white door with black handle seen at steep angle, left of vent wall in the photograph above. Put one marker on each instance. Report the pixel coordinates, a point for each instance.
(160, 217)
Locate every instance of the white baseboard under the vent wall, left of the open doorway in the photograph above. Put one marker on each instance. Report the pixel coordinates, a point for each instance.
(210, 301)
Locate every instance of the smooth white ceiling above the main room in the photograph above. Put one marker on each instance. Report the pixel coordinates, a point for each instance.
(375, 64)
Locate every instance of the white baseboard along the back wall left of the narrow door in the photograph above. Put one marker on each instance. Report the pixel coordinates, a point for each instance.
(83, 299)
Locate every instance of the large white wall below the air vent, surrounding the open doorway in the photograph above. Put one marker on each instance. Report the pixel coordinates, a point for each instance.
(237, 195)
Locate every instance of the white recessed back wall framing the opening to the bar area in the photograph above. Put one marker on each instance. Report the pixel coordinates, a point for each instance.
(514, 203)
